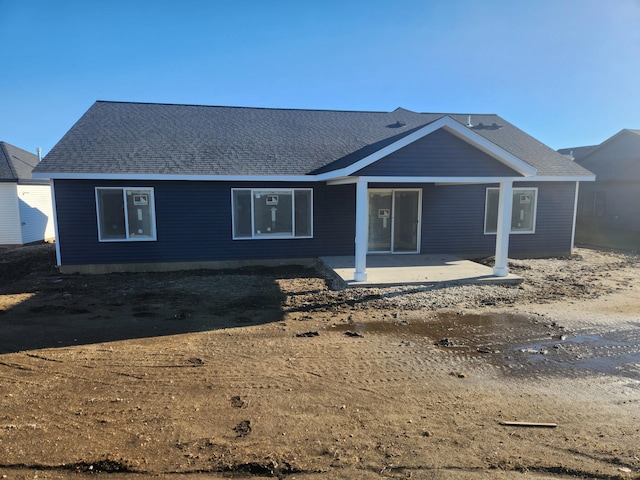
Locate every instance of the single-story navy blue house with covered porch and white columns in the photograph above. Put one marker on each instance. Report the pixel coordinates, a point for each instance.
(157, 186)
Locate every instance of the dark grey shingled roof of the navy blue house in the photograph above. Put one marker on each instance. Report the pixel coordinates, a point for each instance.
(139, 139)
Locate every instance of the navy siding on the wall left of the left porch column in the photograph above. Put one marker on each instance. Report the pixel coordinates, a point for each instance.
(193, 221)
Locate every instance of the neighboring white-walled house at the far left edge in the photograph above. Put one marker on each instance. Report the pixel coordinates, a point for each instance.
(26, 215)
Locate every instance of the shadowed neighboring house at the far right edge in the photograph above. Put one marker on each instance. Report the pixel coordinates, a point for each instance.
(609, 208)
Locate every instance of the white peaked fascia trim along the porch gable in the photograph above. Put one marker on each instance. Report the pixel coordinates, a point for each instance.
(449, 124)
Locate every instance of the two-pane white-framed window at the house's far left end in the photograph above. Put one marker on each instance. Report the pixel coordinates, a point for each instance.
(125, 214)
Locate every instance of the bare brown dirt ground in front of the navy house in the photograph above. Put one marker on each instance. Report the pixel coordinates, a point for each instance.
(263, 373)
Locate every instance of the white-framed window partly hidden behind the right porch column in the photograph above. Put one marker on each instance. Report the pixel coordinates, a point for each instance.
(523, 214)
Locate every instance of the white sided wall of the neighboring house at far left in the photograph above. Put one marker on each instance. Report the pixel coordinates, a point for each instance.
(36, 212)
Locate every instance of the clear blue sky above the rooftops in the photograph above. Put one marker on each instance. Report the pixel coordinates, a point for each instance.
(565, 71)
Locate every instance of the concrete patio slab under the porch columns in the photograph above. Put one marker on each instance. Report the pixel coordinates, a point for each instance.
(394, 270)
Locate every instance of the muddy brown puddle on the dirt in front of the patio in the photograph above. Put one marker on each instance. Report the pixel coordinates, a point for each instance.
(516, 341)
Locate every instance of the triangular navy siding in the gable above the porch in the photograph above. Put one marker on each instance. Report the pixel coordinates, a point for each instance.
(439, 154)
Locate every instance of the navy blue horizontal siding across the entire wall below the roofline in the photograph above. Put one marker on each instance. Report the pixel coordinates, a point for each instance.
(193, 221)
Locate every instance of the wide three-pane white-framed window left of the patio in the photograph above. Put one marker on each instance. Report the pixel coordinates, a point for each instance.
(285, 213)
